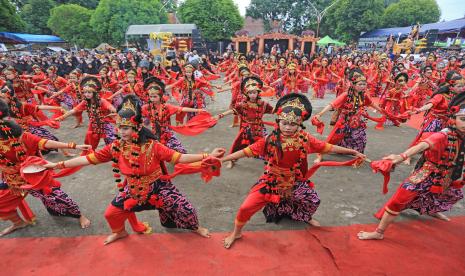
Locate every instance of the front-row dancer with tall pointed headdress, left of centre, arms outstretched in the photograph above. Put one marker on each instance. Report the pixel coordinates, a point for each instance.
(139, 157)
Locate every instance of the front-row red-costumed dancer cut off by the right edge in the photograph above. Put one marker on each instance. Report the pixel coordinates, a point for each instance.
(435, 184)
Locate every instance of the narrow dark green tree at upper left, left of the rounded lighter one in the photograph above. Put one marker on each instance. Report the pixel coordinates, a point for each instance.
(36, 13)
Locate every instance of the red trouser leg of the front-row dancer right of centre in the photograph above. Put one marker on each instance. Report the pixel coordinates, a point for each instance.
(253, 203)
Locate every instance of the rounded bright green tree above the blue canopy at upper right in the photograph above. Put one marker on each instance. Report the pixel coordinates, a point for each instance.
(410, 12)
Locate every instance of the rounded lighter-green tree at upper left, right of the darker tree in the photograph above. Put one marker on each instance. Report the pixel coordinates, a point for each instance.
(72, 23)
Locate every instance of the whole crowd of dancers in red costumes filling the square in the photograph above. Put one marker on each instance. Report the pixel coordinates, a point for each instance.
(129, 110)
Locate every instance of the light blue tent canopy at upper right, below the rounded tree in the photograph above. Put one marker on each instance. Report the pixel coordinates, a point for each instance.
(442, 27)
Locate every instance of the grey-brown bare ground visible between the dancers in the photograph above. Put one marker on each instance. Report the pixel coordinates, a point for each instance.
(348, 195)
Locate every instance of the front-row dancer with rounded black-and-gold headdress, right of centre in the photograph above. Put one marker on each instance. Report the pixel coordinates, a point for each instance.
(283, 189)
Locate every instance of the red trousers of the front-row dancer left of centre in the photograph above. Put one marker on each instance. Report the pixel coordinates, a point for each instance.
(116, 218)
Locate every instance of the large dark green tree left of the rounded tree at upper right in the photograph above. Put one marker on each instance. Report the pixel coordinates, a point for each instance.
(351, 17)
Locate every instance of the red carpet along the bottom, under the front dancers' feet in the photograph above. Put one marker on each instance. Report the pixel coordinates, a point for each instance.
(429, 247)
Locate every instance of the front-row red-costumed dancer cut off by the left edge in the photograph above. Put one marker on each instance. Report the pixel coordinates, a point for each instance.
(17, 145)
